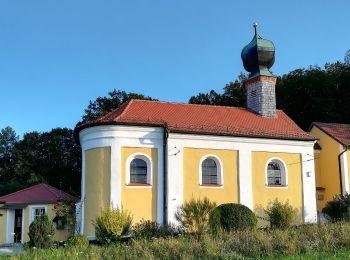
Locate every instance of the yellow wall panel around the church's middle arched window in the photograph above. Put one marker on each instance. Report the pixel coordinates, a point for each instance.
(228, 193)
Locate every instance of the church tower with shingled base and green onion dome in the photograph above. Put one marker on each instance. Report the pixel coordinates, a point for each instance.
(258, 57)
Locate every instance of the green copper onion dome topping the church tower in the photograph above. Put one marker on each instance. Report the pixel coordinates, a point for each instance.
(258, 56)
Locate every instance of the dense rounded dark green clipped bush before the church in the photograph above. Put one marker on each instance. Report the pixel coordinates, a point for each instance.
(232, 216)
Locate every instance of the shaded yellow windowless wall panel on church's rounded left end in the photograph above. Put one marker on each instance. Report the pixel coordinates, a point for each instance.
(97, 185)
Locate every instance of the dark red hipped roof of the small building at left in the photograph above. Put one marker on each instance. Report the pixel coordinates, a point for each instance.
(40, 193)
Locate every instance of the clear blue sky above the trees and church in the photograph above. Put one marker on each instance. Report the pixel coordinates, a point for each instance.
(55, 56)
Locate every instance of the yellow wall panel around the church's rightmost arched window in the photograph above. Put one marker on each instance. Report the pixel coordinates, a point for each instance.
(263, 195)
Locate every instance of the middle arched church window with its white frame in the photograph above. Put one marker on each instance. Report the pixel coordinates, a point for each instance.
(210, 171)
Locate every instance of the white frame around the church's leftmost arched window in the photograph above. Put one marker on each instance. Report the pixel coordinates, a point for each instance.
(149, 164)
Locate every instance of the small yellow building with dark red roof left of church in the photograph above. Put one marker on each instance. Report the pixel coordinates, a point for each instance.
(19, 209)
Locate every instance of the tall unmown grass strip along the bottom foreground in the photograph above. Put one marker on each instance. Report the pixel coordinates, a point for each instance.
(330, 241)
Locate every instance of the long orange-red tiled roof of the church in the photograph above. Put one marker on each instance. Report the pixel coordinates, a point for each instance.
(202, 119)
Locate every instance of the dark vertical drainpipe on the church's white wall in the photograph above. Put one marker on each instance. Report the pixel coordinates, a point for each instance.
(165, 175)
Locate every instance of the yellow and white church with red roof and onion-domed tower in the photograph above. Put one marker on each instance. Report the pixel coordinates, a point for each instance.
(150, 157)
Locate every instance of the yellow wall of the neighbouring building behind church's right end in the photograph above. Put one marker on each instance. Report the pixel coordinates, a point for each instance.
(327, 168)
